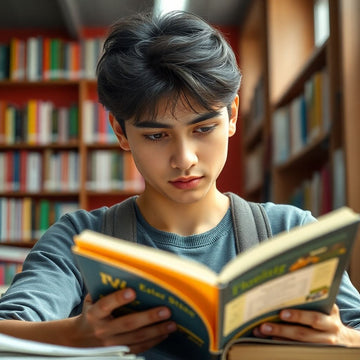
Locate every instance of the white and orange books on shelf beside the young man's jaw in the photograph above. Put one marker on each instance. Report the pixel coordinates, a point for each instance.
(110, 170)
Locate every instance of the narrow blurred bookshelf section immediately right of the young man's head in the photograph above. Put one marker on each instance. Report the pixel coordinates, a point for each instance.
(254, 104)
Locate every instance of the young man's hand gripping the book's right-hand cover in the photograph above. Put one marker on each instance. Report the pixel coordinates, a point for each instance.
(311, 327)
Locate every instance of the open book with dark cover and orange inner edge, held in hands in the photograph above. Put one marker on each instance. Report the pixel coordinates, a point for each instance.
(297, 269)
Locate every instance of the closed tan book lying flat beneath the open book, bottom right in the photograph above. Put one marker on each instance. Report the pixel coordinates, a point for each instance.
(285, 350)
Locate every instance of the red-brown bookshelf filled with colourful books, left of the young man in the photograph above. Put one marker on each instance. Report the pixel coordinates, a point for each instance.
(55, 142)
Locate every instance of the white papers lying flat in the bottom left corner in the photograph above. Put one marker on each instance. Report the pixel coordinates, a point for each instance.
(15, 348)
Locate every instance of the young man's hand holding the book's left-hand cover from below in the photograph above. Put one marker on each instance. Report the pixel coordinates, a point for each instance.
(140, 331)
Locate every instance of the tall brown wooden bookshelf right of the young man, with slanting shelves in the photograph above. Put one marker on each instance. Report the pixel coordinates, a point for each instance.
(308, 128)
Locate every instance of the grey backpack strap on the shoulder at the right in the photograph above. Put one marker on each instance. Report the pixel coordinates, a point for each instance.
(250, 221)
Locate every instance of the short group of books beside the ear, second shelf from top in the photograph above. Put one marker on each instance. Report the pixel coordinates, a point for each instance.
(96, 126)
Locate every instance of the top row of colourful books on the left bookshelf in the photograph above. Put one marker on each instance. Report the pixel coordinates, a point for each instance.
(41, 58)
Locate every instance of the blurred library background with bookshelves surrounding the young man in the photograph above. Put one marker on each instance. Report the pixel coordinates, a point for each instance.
(297, 138)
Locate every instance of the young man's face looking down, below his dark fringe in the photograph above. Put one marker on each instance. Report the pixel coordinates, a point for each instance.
(181, 154)
